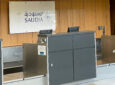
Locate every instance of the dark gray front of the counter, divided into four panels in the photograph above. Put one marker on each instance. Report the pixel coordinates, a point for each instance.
(72, 57)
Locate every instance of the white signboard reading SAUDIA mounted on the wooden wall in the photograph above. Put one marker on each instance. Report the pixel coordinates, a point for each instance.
(31, 16)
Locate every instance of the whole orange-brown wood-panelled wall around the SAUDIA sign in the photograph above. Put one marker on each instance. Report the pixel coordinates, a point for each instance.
(88, 14)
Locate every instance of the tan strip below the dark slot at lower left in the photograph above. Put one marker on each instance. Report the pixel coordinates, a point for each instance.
(14, 76)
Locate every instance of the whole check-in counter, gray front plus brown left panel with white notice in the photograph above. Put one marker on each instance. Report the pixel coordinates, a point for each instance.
(63, 58)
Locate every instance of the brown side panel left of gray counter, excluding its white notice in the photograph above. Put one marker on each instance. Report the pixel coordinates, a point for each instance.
(34, 64)
